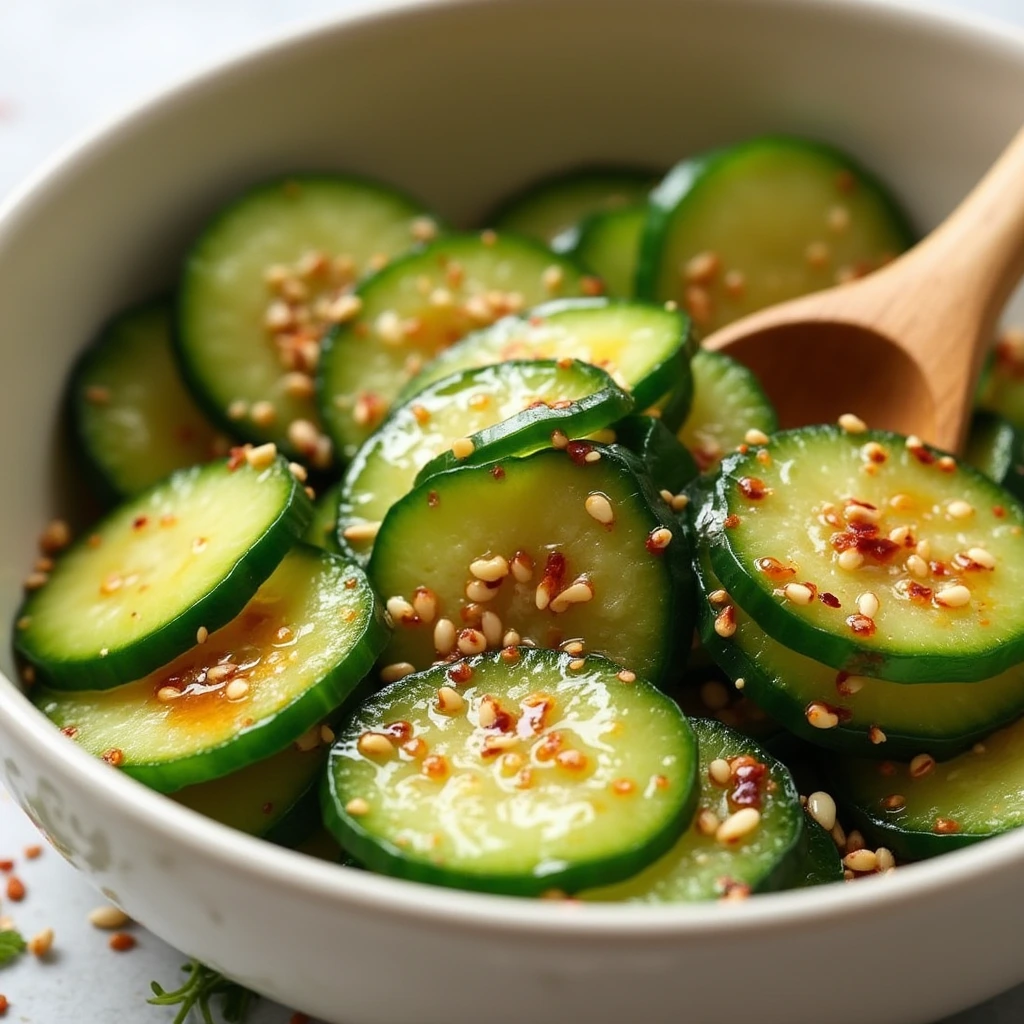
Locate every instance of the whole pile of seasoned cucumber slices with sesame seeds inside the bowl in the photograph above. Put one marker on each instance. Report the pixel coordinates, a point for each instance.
(454, 554)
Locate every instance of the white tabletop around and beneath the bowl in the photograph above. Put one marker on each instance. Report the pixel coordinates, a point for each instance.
(66, 65)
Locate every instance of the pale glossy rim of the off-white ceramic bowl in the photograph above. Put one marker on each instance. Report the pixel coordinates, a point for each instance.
(291, 871)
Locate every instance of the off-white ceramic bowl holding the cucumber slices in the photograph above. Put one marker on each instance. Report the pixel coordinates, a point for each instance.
(459, 102)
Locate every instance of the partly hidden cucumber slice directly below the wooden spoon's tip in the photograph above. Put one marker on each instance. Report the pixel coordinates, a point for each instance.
(729, 402)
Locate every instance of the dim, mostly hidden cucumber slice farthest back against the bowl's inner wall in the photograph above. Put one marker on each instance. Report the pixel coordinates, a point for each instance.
(550, 210)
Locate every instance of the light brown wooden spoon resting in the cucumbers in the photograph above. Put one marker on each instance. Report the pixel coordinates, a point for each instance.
(903, 348)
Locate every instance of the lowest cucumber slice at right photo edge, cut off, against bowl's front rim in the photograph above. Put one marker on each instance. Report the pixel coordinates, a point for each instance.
(922, 808)
